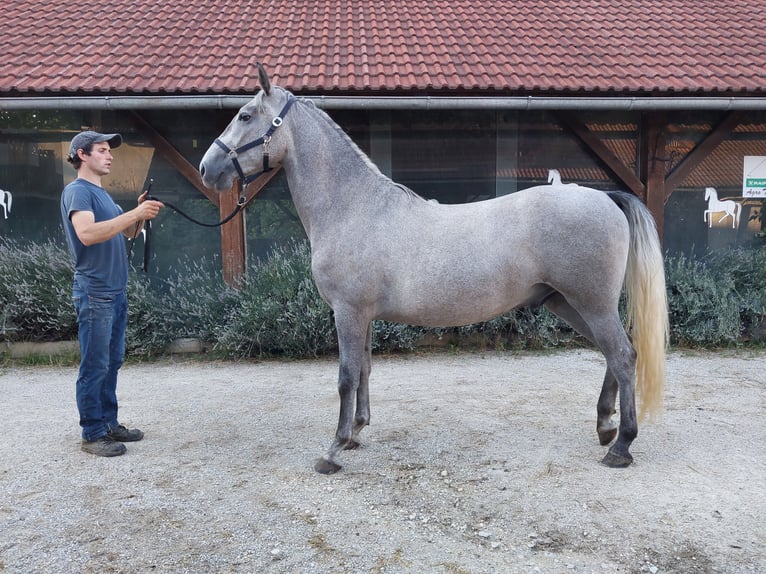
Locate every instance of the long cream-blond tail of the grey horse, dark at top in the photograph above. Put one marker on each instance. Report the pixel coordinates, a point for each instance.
(647, 302)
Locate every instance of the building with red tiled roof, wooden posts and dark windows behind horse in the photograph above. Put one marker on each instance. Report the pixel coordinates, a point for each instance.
(459, 101)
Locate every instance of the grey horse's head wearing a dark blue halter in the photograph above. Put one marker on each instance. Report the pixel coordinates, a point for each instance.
(252, 143)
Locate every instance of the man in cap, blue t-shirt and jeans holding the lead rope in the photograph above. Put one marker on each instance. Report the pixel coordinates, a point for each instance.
(94, 225)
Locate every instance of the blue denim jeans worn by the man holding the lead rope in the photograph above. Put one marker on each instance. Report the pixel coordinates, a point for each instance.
(101, 320)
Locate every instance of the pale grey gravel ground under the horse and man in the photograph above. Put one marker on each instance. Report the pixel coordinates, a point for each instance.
(480, 462)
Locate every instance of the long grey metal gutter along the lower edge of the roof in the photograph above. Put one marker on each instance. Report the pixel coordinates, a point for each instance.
(621, 103)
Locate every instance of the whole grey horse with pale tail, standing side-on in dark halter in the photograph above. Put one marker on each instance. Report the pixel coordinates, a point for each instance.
(380, 251)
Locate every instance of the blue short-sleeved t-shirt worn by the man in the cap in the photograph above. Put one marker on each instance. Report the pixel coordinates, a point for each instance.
(101, 268)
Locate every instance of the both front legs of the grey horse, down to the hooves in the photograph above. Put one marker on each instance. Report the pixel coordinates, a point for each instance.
(352, 336)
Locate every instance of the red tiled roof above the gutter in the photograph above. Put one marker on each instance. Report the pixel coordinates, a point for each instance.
(660, 47)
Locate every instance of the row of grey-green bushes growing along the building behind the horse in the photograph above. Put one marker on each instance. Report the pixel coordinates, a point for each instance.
(717, 301)
